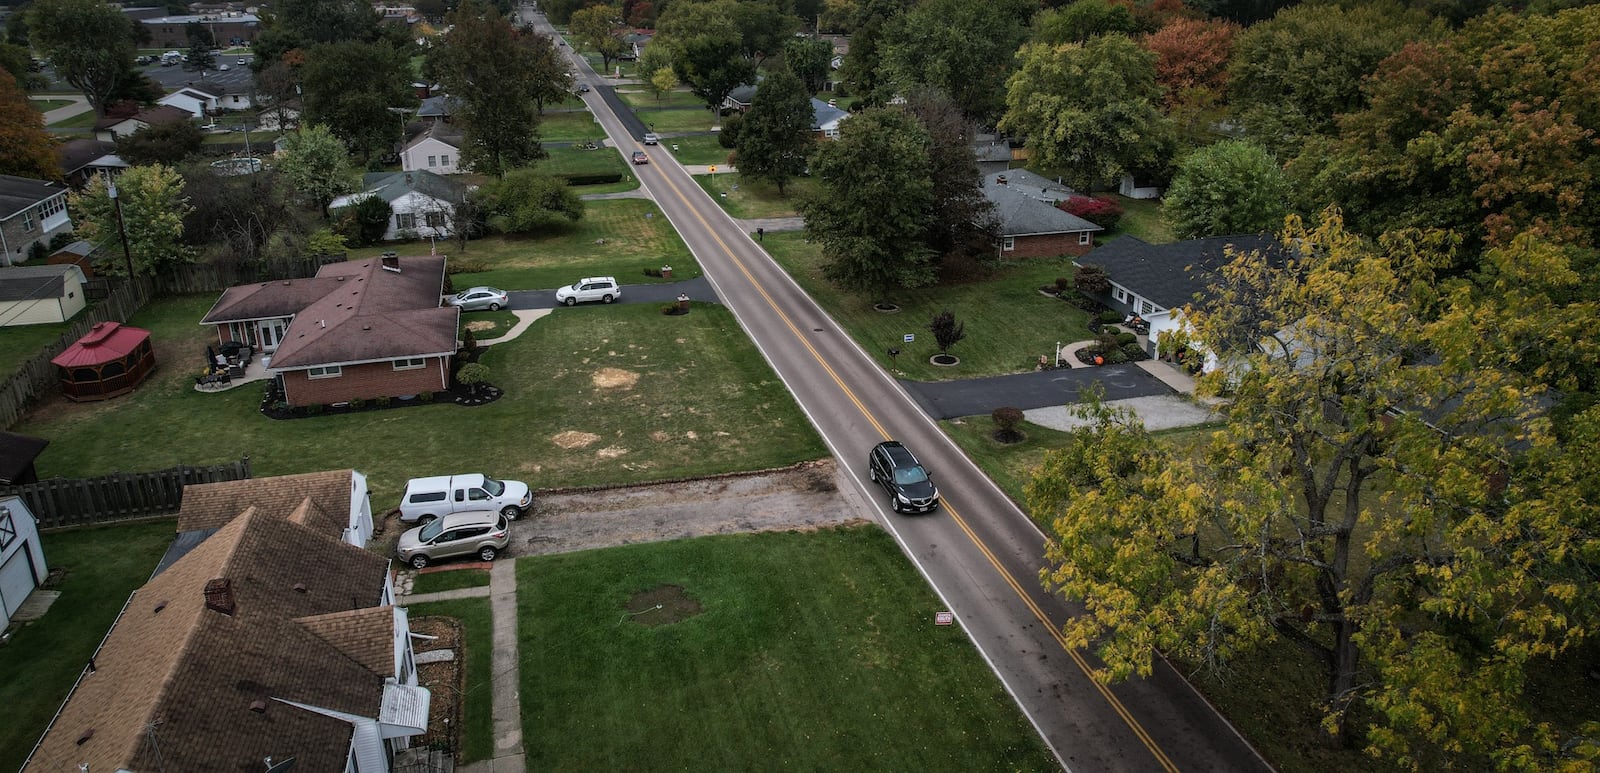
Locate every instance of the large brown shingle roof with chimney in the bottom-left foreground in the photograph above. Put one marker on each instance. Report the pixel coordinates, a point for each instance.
(182, 678)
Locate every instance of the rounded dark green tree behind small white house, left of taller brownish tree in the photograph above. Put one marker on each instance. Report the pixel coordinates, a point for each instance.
(351, 87)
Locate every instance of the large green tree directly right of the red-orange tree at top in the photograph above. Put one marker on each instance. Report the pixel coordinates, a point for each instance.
(1294, 74)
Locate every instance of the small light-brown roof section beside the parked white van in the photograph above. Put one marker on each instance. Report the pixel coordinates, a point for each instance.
(214, 505)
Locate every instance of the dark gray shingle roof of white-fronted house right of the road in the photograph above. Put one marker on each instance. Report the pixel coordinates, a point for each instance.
(1174, 274)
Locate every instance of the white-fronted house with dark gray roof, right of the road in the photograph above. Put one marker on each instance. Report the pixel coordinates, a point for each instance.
(1159, 281)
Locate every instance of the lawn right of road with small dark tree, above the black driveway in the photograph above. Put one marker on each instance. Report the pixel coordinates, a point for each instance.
(1009, 322)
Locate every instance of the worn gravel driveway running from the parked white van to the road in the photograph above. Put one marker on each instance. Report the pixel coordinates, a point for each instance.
(806, 497)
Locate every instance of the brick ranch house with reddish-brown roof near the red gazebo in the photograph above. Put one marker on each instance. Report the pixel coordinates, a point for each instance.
(354, 332)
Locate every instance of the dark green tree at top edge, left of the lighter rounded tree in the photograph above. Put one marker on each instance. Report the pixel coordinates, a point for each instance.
(959, 47)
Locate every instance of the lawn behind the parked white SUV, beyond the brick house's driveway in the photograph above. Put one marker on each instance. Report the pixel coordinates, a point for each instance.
(633, 244)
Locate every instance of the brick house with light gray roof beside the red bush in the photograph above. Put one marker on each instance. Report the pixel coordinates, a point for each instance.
(1031, 225)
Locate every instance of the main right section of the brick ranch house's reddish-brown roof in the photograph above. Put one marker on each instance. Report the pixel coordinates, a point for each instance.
(375, 314)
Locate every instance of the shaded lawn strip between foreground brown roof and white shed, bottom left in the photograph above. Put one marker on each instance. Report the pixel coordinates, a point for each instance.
(42, 662)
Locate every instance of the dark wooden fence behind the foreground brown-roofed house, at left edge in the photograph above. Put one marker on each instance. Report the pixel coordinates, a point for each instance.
(118, 497)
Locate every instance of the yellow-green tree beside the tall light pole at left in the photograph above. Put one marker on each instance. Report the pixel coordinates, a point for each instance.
(153, 218)
